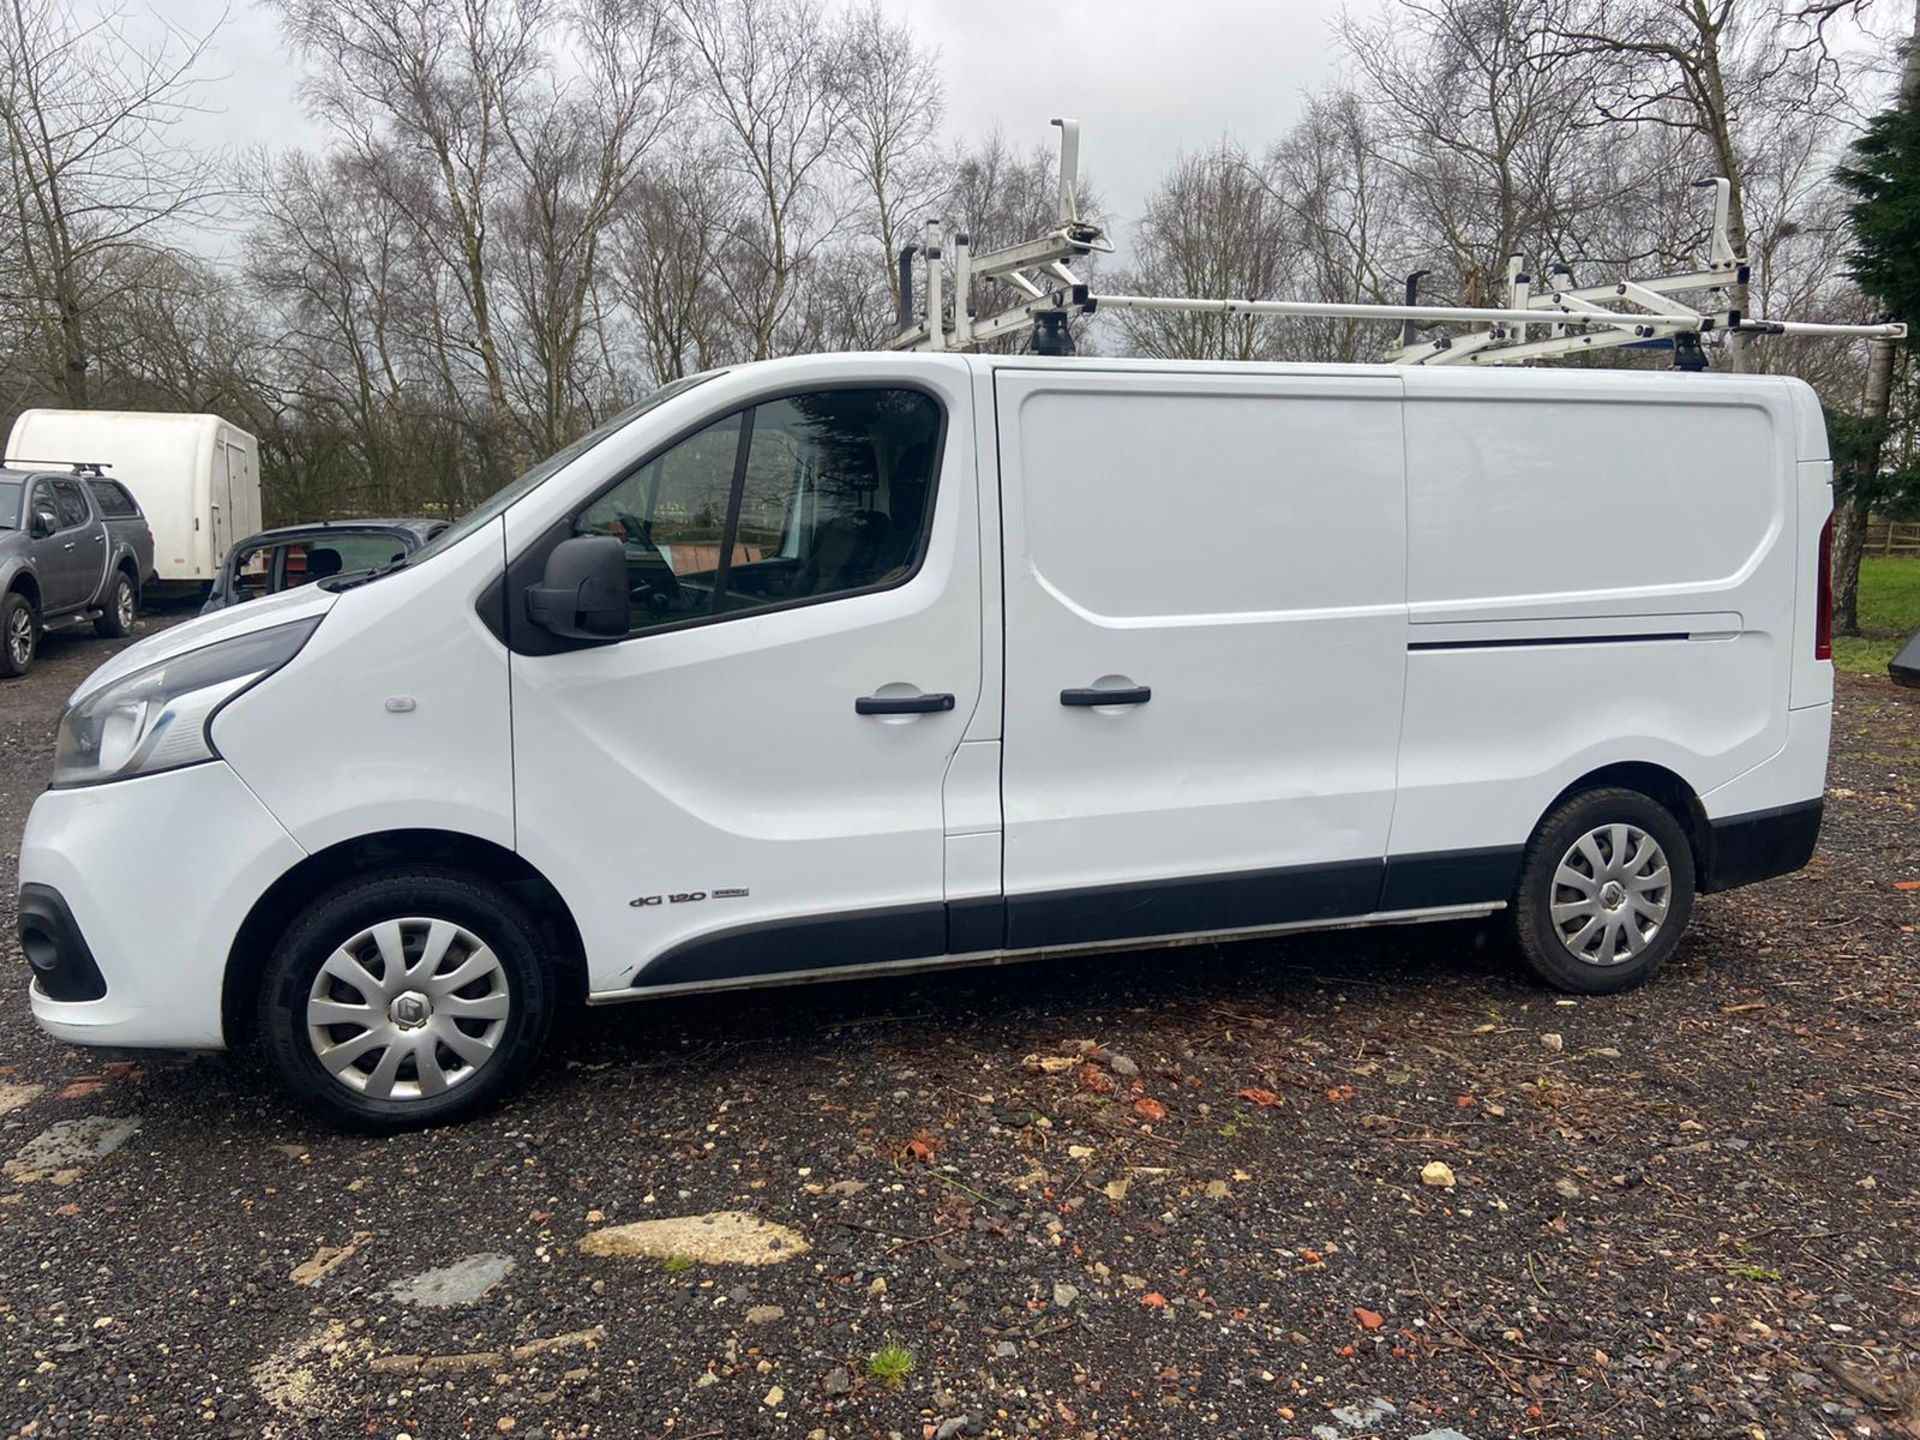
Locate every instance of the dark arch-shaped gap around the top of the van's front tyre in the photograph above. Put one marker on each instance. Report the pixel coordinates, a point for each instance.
(393, 850)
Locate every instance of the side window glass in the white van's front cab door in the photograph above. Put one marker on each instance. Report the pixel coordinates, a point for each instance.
(792, 500)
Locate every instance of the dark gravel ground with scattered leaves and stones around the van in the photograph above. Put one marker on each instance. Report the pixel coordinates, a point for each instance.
(1355, 1186)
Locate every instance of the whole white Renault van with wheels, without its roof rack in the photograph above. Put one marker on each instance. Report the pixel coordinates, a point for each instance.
(865, 663)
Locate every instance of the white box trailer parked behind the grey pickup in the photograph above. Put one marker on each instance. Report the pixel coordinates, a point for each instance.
(195, 475)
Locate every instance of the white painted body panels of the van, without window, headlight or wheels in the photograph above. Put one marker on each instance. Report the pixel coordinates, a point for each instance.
(1385, 617)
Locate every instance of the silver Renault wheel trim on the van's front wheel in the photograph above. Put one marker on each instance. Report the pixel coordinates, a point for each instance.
(408, 1009)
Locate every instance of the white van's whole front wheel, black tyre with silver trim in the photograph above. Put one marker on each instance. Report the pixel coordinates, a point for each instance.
(408, 999)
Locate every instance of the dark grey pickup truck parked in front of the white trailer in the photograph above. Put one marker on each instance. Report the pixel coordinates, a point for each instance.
(74, 550)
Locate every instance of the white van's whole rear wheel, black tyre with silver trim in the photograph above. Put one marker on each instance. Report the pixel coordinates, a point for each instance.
(1606, 892)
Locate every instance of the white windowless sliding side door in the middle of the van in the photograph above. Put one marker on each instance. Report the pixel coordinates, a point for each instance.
(1205, 648)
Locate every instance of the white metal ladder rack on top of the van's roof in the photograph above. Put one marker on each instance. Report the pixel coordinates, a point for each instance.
(1537, 324)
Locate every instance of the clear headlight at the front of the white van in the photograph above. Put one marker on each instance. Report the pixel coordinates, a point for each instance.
(156, 719)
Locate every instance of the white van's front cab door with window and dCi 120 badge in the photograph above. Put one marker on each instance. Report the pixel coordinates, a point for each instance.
(750, 782)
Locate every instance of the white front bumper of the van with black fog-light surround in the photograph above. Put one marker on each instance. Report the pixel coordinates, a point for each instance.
(155, 876)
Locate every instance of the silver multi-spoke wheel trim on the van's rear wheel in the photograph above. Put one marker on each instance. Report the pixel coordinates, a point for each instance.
(1612, 894)
